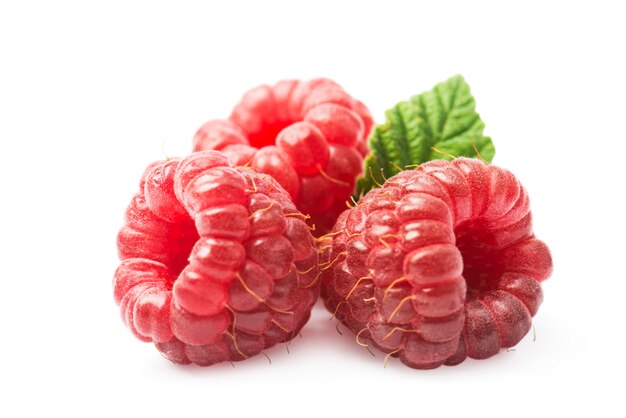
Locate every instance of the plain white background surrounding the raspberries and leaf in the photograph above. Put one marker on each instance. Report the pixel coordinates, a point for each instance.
(89, 95)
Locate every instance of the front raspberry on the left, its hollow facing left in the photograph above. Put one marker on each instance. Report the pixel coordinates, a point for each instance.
(217, 263)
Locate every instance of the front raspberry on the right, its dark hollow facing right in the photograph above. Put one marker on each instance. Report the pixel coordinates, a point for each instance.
(439, 264)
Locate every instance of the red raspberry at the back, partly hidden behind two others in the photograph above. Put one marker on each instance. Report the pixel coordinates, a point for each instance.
(308, 135)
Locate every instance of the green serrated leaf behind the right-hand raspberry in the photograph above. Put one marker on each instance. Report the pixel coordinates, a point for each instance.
(443, 118)
